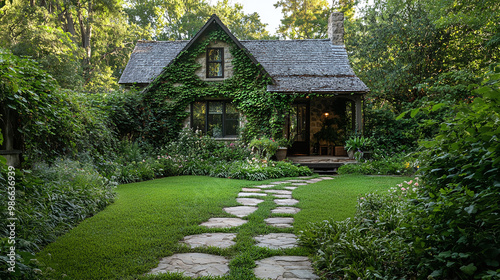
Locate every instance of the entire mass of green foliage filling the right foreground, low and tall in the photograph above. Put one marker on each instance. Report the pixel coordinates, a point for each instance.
(444, 227)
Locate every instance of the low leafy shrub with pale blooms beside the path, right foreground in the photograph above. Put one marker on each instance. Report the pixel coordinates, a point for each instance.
(372, 245)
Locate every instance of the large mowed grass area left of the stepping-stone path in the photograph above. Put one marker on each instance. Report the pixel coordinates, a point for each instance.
(142, 226)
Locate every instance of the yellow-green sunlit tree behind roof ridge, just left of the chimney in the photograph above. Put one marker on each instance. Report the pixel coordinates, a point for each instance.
(304, 19)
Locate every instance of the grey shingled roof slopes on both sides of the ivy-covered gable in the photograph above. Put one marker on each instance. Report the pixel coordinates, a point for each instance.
(295, 65)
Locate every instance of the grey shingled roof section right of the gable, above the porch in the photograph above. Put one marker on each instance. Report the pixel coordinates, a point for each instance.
(306, 66)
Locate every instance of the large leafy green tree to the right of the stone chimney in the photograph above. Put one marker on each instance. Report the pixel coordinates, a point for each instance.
(402, 51)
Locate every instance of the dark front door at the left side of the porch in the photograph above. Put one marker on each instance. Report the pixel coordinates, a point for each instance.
(298, 128)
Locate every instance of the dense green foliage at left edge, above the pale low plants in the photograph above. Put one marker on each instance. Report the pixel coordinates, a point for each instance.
(47, 116)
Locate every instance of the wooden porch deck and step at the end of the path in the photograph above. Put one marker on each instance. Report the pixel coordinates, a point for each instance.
(321, 164)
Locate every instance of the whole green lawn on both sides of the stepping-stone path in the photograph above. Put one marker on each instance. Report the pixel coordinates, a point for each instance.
(148, 219)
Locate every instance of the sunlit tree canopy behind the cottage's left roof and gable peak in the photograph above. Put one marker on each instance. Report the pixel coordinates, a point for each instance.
(85, 44)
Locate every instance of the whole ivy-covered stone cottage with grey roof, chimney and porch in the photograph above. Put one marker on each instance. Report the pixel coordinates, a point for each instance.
(314, 76)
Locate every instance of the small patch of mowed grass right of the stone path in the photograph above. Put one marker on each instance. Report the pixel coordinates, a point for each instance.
(337, 199)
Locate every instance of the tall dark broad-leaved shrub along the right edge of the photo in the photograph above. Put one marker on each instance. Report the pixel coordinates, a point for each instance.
(460, 206)
